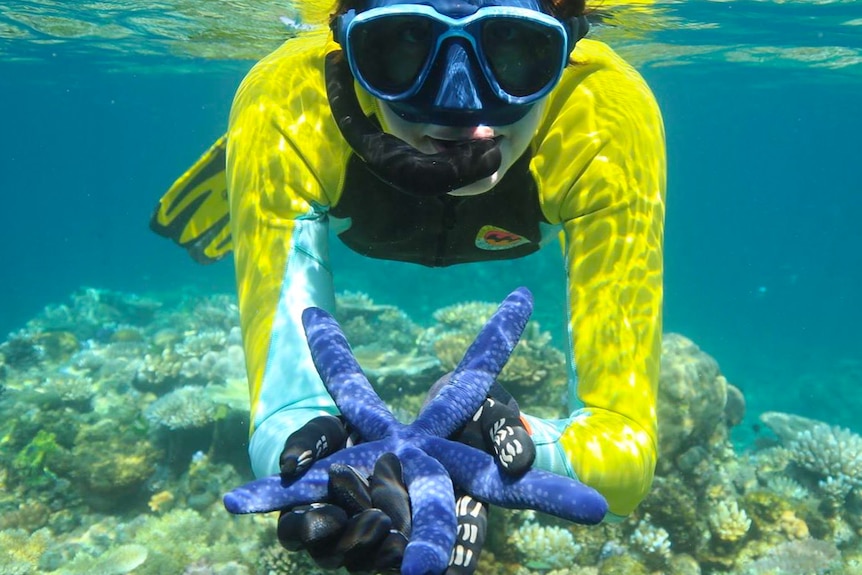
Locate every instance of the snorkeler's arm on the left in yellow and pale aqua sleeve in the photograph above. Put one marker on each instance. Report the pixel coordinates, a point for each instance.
(284, 158)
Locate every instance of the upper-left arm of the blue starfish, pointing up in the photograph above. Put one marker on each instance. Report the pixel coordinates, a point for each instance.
(343, 377)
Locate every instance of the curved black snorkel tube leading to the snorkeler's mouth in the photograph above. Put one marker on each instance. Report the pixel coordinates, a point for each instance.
(395, 161)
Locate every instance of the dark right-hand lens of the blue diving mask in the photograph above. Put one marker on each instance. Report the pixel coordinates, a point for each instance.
(524, 56)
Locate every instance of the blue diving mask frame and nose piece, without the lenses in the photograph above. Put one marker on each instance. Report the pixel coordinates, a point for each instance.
(467, 91)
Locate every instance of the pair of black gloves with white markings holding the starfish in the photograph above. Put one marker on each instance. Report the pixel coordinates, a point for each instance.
(365, 523)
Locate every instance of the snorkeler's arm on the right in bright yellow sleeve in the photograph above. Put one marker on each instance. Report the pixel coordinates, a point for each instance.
(603, 162)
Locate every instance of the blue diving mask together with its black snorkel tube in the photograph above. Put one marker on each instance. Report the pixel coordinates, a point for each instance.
(457, 81)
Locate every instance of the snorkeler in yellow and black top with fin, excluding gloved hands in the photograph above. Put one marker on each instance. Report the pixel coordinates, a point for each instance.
(443, 132)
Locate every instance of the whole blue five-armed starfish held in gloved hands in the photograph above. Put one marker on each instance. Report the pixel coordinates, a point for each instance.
(430, 462)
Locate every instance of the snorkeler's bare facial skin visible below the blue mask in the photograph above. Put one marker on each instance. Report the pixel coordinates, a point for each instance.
(513, 140)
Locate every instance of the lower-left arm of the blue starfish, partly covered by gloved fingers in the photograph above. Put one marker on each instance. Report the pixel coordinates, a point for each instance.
(272, 493)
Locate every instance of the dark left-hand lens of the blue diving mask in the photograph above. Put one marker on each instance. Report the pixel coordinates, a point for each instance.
(392, 52)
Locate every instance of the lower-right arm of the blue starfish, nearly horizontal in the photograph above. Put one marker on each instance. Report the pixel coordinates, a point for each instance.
(478, 474)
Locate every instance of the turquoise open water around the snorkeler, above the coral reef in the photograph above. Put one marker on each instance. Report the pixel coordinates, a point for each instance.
(104, 104)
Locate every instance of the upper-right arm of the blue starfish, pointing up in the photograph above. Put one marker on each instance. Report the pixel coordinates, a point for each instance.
(482, 363)
